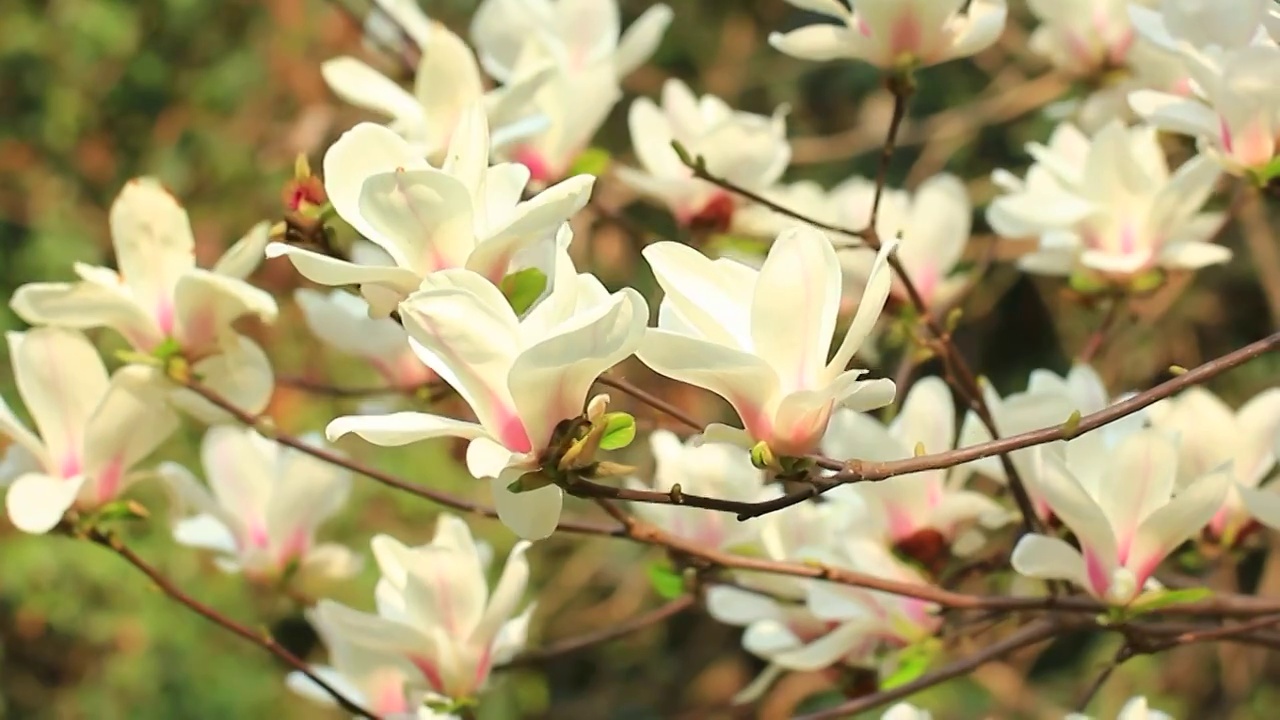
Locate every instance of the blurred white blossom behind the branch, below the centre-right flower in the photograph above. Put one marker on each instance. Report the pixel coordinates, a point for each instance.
(711, 470)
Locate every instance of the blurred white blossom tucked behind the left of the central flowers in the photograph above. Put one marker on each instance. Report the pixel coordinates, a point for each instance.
(341, 321)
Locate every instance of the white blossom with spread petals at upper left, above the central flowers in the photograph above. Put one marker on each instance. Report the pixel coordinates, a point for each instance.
(447, 83)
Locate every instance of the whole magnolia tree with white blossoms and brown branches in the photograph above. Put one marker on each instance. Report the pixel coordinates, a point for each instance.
(888, 528)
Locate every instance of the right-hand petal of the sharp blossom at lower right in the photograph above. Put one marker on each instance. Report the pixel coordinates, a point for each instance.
(1182, 518)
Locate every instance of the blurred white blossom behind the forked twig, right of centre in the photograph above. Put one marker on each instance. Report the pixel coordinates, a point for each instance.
(932, 225)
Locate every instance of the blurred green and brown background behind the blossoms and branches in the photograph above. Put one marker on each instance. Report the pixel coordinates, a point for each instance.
(218, 98)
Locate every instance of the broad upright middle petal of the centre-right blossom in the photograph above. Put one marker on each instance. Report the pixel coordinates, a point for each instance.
(794, 307)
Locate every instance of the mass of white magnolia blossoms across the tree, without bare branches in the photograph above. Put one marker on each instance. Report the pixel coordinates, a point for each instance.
(465, 275)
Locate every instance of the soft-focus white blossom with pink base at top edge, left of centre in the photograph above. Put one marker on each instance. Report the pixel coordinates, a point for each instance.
(583, 44)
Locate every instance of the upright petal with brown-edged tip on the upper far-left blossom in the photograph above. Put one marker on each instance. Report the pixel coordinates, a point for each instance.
(153, 240)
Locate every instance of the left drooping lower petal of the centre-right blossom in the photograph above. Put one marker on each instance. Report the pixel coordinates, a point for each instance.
(746, 381)
